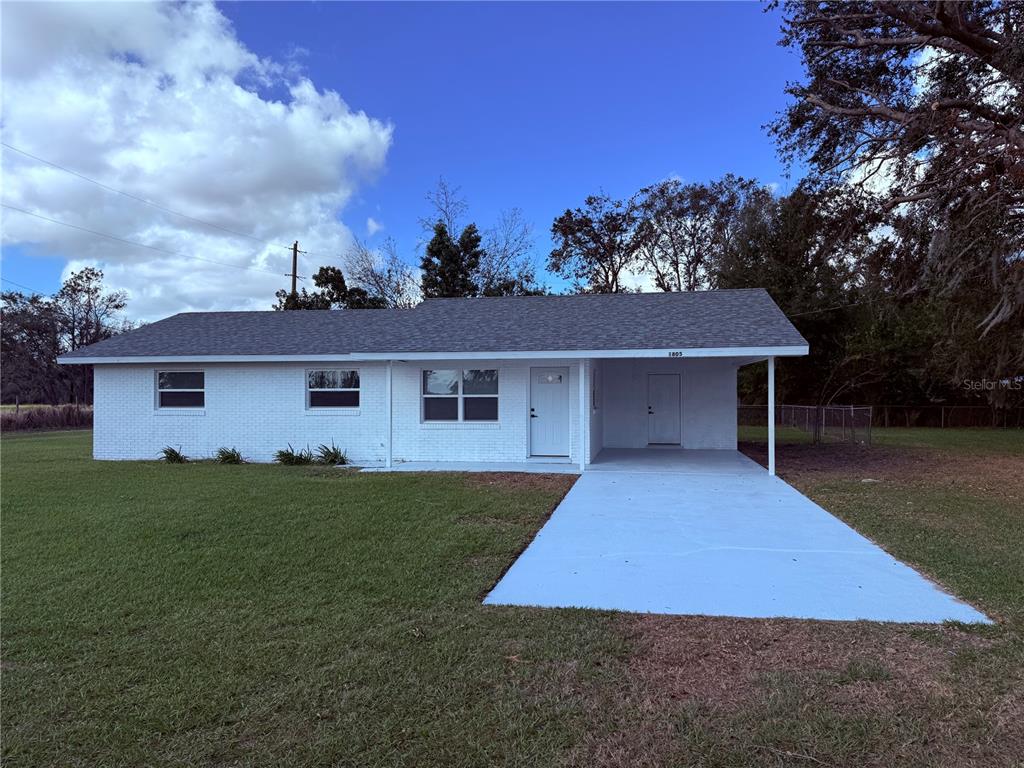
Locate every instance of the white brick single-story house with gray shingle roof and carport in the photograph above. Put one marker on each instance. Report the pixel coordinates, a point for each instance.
(552, 379)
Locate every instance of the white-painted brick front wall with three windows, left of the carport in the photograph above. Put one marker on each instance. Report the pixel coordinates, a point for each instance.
(261, 408)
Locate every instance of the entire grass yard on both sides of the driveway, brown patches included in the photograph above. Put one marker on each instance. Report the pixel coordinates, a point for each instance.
(205, 615)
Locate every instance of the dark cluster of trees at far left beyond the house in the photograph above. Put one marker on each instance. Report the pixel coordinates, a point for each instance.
(37, 330)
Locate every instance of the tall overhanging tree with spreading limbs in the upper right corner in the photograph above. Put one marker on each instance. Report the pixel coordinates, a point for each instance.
(921, 105)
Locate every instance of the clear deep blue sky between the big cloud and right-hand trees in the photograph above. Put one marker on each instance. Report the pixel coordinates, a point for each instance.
(532, 106)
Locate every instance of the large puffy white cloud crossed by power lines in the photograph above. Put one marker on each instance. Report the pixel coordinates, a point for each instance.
(165, 103)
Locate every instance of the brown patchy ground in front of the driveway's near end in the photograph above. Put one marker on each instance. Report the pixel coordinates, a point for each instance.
(744, 689)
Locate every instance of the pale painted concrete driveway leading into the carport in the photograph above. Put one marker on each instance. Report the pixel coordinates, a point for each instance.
(712, 535)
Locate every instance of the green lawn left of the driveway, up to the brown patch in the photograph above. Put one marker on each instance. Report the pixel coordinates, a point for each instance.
(207, 615)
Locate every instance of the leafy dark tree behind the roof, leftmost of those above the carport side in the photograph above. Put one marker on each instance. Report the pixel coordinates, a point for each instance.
(594, 245)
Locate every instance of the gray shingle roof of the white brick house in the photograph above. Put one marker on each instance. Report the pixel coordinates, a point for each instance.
(522, 324)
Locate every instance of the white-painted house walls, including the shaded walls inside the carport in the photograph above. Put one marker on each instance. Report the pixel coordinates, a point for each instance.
(261, 408)
